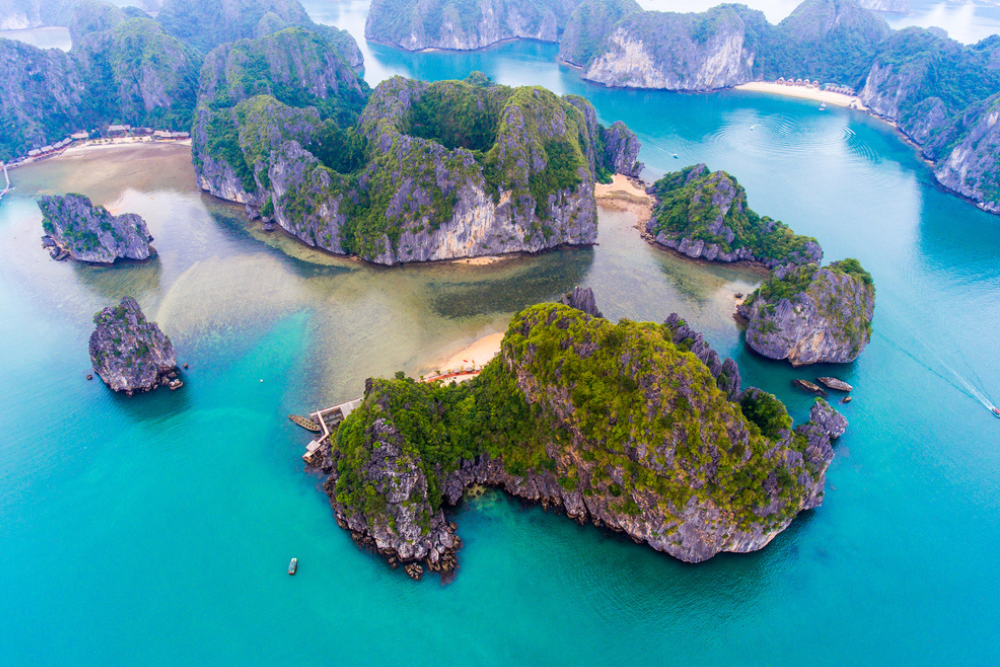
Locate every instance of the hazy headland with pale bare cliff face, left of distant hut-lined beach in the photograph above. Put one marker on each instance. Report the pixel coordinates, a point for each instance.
(678, 51)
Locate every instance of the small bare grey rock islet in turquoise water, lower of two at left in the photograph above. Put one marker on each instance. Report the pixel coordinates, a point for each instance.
(129, 353)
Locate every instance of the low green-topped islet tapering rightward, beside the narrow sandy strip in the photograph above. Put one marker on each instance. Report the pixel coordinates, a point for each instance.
(704, 214)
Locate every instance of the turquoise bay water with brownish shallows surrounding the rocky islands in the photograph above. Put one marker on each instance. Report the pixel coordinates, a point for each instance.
(157, 530)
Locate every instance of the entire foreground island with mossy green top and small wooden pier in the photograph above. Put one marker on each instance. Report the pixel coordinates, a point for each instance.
(615, 424)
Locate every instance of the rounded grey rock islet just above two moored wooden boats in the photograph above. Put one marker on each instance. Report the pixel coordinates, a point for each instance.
(812, 315)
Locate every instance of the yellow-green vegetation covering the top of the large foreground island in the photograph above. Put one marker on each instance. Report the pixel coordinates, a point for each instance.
(616, 411)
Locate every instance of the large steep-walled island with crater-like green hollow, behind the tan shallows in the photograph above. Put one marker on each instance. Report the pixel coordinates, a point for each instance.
(430, 172)
